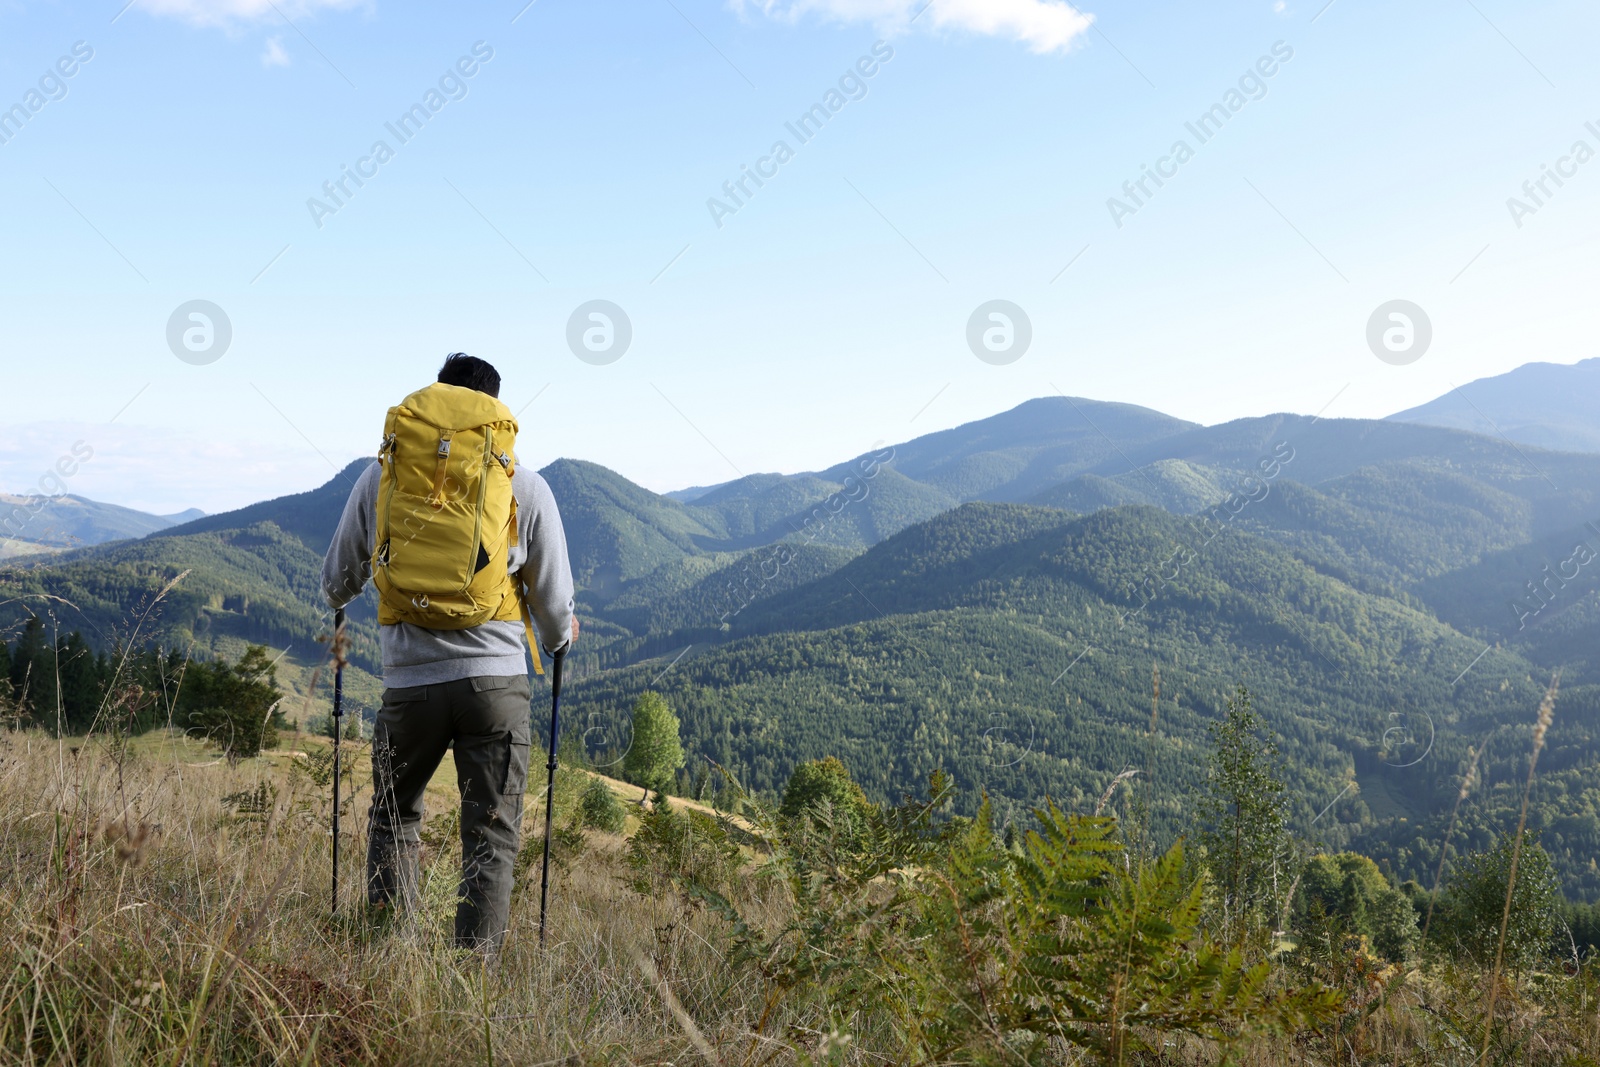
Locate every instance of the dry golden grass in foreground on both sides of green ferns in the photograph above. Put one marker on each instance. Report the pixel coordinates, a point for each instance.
(156, 913)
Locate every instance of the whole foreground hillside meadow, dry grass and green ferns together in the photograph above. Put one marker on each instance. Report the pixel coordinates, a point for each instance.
(167, 906)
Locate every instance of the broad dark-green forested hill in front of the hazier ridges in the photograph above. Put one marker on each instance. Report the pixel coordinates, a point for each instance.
(1001, 644)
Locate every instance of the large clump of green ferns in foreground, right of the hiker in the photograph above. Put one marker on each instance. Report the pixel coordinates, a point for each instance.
(975, 954)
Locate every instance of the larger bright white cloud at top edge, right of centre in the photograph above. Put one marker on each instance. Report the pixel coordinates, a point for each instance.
(1042, 25)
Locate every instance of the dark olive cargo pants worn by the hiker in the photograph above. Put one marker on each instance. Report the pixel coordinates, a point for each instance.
(489, 722)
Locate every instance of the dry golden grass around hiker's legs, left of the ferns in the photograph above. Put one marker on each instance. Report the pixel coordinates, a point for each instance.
(151, 922)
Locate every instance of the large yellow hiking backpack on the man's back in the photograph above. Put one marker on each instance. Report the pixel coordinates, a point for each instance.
(447, 514)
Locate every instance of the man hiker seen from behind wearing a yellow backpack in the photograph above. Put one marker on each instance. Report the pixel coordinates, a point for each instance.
(468, 554)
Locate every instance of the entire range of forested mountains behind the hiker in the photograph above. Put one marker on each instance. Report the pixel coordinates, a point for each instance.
(1034, 602)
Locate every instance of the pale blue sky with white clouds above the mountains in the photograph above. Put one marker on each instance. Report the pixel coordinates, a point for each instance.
(831, 310)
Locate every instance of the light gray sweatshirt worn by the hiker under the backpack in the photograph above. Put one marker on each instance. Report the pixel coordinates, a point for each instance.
(417, 657)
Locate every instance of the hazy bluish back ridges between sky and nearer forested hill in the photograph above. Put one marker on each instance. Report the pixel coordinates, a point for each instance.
(1068, 454)
